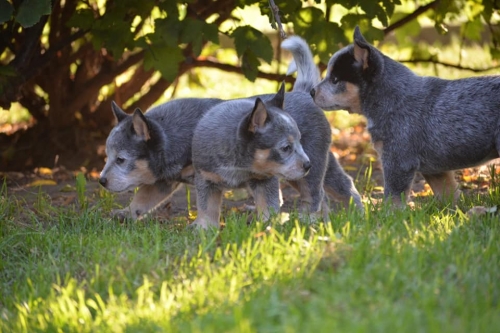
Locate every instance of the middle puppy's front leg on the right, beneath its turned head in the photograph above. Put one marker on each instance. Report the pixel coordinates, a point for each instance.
(266, 195)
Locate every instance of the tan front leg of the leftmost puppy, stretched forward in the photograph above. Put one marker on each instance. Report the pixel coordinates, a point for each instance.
(147, 199)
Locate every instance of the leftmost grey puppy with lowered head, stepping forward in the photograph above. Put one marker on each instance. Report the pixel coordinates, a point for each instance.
(152, 151)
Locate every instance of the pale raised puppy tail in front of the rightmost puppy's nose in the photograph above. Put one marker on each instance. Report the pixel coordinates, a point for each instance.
(303, 62)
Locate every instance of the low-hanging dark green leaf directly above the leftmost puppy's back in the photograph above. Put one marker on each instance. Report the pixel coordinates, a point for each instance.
(165, 59)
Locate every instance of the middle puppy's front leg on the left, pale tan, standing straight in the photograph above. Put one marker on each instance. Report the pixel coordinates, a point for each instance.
(208, 202)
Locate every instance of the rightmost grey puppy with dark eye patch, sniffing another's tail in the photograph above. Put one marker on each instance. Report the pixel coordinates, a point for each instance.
(417, 123)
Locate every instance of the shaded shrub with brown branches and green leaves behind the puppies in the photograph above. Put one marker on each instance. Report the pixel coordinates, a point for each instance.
(83, 46)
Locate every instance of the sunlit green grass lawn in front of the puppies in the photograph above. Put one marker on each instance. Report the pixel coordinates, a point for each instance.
(431, 269)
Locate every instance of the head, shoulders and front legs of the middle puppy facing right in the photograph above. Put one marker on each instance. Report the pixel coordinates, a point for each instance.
(245, 142)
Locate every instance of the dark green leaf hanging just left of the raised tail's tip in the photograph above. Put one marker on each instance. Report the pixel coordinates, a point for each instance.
(249, 40)
